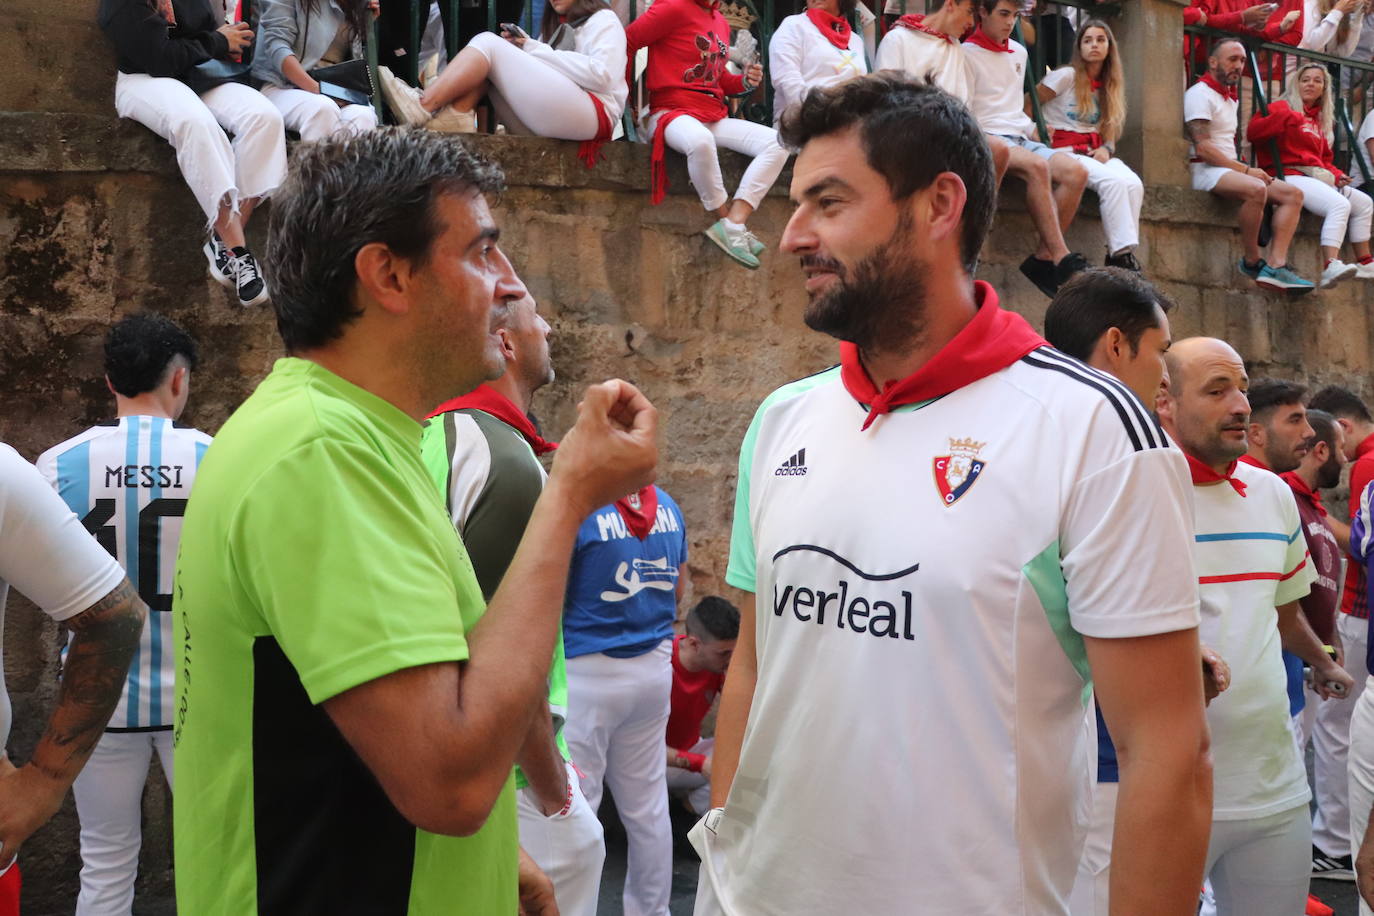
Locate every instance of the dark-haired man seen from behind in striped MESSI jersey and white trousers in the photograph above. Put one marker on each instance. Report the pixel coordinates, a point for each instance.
(128, 481)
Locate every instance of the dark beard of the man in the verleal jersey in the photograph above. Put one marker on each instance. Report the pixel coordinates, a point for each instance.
(881, 303)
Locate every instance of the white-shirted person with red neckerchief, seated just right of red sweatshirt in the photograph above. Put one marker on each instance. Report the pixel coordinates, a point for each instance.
(814, 49)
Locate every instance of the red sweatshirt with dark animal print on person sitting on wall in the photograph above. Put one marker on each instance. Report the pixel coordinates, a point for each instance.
(689, 47)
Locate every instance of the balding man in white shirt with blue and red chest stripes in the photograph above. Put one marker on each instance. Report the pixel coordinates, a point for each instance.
(1252, 562)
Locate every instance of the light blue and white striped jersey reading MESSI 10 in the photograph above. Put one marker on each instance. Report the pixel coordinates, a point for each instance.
(128, 481)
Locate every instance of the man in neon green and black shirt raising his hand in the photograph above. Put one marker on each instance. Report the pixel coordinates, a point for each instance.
(344, 735)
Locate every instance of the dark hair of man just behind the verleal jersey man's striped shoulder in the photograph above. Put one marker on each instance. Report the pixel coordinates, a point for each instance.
(1099, 300)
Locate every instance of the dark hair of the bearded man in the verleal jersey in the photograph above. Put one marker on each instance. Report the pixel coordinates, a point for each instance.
(892, 112)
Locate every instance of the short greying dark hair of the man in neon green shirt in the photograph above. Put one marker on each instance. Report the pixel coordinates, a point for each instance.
(347, 193)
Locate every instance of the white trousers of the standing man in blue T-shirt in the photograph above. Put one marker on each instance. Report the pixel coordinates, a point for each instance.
(618, 713)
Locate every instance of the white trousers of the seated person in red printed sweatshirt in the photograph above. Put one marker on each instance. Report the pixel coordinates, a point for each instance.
(699, 142)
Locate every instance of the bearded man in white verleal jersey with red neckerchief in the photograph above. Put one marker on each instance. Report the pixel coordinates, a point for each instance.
(906, 724)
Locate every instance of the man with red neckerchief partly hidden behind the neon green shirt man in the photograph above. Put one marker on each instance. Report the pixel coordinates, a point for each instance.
(483, 448)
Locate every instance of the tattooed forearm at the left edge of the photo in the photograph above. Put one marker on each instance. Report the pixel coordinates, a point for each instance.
(98, 660)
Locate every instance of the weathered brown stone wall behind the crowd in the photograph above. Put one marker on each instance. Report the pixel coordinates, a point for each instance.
(95, 223)
